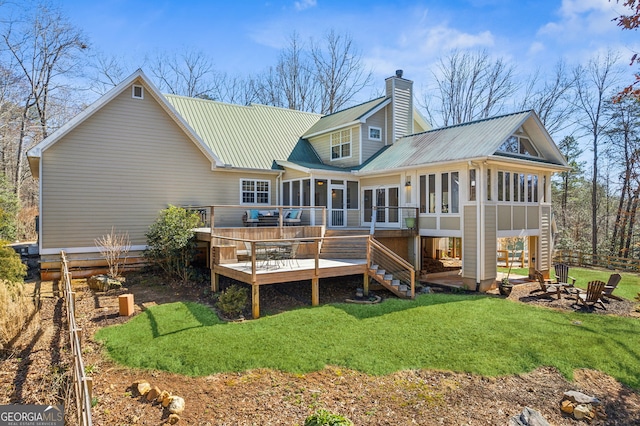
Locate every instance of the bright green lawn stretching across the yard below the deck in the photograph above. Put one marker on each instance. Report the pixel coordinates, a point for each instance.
(471, 333)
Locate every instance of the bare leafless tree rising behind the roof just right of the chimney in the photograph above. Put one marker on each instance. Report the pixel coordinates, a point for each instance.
(469, 86)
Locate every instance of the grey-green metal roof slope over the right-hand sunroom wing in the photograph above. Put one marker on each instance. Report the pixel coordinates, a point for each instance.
(476, 139)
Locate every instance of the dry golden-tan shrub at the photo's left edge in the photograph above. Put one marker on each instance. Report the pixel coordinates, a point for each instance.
(16, 309)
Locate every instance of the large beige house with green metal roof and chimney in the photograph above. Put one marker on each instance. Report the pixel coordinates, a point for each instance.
(135, 151)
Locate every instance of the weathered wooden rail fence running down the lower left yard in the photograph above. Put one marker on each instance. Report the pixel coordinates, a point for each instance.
(82, 384)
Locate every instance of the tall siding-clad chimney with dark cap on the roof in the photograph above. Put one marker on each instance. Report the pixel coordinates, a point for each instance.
(400, 91)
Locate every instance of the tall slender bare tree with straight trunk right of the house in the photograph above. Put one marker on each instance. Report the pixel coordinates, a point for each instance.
(594, 84)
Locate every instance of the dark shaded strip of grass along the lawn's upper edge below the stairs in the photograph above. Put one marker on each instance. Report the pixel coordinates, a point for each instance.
(388, 306)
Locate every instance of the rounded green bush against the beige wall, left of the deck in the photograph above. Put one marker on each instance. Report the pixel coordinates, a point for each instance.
(171, 242)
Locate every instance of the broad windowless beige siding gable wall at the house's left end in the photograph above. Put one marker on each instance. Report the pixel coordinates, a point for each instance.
(119, 168)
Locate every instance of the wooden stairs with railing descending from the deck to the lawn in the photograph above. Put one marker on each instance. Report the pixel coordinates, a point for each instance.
(390, 270)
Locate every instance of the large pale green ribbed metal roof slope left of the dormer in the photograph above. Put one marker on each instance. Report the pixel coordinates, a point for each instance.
(246, 136)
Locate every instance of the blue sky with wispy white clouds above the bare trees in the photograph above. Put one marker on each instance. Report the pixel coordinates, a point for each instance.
(245, 36)
